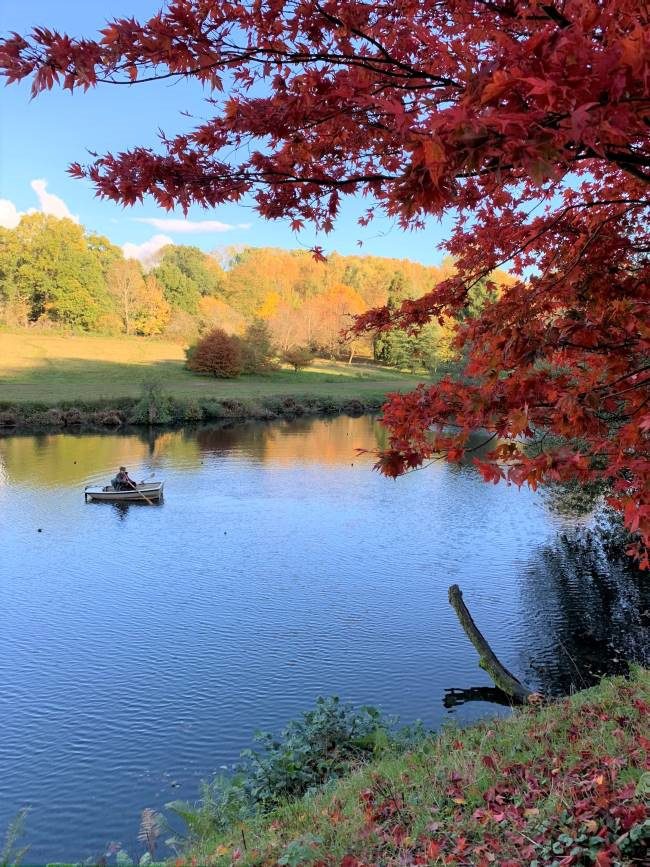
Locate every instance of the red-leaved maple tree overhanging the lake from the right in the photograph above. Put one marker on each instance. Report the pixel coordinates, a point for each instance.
(528, 120)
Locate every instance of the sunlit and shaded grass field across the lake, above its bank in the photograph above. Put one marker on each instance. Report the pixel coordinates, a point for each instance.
(49, 369)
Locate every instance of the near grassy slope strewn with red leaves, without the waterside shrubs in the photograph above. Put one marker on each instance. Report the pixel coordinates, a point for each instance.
(567, 784)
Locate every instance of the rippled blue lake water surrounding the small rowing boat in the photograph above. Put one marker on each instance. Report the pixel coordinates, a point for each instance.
(140, 648)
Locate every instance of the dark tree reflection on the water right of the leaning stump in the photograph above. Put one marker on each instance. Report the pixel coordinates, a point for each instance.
(586, 609)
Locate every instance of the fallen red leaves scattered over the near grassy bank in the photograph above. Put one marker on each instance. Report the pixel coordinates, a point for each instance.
(595, 809)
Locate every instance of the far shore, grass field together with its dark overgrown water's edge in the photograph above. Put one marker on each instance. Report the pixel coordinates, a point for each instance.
(54, 381)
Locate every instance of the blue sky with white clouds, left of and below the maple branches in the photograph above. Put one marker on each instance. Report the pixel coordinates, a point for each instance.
(40, 138)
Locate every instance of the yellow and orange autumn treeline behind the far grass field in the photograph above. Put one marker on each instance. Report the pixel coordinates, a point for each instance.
(55, 274)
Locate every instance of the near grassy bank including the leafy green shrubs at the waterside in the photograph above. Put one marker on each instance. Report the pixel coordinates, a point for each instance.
(561, 785)
